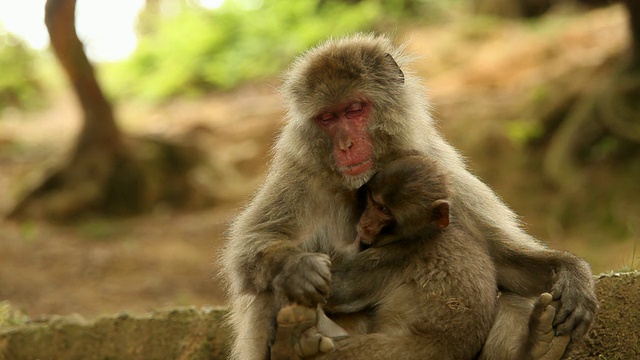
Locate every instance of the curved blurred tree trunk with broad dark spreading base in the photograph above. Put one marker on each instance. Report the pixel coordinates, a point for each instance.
(106, 174)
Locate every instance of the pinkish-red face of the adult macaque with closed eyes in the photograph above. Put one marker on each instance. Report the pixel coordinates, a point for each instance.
(346, 124)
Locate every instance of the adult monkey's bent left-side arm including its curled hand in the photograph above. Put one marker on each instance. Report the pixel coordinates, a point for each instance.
(262, 253)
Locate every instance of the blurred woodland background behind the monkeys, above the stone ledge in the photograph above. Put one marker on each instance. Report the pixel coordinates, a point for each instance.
(543, 100)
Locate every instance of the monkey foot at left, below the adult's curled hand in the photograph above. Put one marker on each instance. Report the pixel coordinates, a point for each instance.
(297, 336)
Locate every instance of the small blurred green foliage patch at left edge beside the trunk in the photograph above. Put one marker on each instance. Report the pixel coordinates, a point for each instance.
(19, 84)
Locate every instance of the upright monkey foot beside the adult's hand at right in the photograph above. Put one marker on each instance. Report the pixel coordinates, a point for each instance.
(546, 345)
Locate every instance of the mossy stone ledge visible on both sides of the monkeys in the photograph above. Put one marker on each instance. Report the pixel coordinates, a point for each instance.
(189, 333)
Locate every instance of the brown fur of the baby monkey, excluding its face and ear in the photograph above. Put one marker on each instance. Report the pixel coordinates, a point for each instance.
(422, 285)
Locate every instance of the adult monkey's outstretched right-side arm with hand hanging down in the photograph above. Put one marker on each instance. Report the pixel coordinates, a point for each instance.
(524, 265)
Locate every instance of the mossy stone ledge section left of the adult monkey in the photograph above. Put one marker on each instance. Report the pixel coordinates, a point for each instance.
(185, 333)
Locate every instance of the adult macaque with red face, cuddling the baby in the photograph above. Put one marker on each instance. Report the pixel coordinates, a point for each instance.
(351, 110)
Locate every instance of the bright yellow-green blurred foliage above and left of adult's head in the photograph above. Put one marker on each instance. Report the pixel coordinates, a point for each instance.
(198, 50)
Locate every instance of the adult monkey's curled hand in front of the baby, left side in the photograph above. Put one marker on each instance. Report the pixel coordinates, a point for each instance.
(305, 279)
